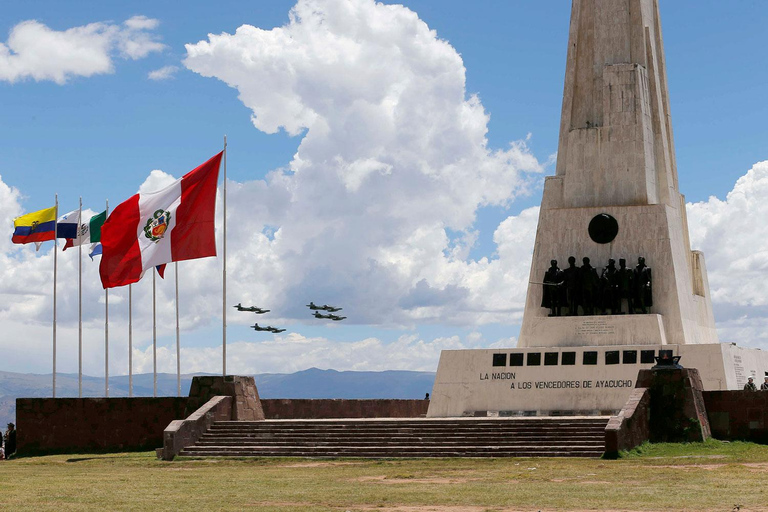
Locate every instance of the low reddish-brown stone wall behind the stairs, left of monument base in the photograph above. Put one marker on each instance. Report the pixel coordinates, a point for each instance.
(341, 408)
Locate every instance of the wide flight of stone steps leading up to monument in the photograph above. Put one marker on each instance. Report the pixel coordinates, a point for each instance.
(381, 438)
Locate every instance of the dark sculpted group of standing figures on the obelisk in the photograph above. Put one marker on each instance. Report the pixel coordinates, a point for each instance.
(582, 287)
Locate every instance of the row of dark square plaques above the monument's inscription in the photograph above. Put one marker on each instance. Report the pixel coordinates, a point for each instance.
(589, 358)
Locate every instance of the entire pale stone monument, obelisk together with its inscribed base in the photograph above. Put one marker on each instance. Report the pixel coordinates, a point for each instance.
(614, 196)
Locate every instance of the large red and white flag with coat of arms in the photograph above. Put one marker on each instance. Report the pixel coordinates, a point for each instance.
(172, 224)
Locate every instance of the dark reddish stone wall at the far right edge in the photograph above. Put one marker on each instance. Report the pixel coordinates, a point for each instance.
(738, 415)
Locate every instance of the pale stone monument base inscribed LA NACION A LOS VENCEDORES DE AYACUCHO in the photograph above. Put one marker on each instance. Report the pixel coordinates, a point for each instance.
(579, 380)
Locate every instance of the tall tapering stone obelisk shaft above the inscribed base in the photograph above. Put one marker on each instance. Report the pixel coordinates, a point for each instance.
(616, 159)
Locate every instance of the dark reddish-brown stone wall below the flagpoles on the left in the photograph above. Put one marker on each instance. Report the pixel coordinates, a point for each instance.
(81, 425)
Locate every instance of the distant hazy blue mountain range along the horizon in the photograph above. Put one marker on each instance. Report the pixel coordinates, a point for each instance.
(312, 383)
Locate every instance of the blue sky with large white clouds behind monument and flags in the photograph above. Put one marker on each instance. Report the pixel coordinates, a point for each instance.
(384, 158)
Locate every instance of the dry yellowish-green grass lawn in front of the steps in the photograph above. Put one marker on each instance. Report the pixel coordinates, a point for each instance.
(711, 476)
